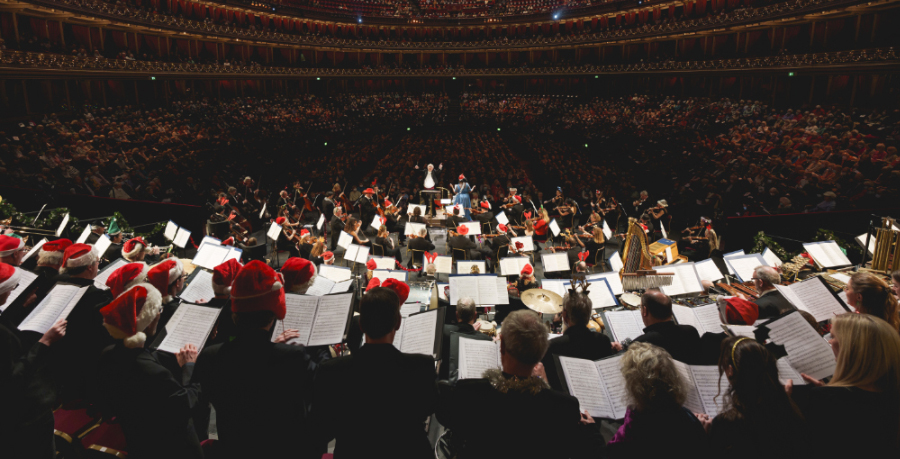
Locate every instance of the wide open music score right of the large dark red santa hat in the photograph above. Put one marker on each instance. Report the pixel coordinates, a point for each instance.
(321, 320)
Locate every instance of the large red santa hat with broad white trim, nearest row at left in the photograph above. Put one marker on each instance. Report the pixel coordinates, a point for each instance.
(127, 316)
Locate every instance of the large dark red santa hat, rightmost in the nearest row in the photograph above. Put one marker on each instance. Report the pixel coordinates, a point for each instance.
(257, 287)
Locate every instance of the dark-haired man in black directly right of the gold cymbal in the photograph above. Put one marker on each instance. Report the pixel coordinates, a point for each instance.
(578, 340)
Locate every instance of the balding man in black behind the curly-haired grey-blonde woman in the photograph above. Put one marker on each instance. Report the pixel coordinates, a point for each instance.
(681, 341)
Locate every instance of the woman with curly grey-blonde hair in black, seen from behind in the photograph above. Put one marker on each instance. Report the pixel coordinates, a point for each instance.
(656, 424)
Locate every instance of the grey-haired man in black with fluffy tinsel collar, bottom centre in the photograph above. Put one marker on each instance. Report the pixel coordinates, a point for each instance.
(531, 410)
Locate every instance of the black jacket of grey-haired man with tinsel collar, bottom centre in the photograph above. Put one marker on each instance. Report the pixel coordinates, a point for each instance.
(538, 422)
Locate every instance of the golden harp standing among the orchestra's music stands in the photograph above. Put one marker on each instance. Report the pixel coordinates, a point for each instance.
(637, 264)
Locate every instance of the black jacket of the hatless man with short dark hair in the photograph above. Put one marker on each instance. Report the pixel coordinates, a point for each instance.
(395, 391)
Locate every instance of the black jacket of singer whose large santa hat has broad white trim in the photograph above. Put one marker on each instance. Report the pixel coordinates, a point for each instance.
(153, 407)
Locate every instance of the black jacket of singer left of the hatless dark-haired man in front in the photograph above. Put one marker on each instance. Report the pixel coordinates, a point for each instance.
(261, 392)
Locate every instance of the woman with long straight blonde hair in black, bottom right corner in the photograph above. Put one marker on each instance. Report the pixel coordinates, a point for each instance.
(857, 414)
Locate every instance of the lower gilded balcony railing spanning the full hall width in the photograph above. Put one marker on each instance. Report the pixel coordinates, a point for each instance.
(50, 65)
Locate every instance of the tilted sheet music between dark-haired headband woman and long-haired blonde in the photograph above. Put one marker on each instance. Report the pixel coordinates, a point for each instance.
(807, 351)
